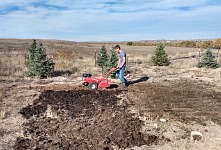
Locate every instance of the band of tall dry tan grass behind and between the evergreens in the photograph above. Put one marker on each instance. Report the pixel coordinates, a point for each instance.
(72, 58)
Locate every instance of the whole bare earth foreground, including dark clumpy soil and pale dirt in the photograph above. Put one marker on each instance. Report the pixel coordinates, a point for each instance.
(150, 114)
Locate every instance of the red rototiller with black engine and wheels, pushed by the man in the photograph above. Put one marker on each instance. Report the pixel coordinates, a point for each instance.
(94, 83)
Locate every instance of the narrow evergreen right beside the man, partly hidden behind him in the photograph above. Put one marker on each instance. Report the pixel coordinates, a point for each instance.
(112, 62)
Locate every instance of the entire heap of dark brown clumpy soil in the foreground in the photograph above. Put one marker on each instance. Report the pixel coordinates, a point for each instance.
(84, 120)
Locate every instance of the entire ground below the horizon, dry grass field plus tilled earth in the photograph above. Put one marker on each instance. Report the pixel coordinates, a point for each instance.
(160, 110)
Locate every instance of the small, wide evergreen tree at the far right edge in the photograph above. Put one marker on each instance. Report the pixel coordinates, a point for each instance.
(208, 60)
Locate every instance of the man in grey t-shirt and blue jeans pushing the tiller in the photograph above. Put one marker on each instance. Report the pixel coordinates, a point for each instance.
(121, 65)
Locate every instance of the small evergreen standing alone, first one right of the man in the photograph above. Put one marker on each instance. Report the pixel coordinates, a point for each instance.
(160, 58)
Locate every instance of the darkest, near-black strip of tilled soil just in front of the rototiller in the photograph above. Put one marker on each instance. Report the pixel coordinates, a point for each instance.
(78, 103)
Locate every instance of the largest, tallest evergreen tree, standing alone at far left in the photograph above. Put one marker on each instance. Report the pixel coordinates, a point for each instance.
(37, 62)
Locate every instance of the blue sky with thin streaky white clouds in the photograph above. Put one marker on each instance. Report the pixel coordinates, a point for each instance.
(110, 20)
